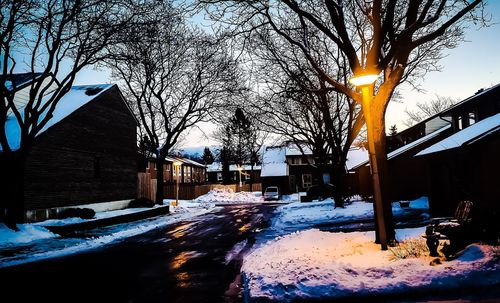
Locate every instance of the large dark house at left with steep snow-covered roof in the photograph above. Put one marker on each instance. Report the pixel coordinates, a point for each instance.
(84, 156)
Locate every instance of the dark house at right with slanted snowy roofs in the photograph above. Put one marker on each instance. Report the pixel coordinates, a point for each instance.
(448, 157)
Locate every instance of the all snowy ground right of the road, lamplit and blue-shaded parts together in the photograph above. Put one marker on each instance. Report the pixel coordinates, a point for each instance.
(309, 263)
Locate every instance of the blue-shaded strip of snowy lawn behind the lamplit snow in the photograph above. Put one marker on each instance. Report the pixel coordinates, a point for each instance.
(315, 213)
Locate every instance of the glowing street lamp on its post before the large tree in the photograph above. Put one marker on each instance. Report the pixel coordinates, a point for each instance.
(365, 83)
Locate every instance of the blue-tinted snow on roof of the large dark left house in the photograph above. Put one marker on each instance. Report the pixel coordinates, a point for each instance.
(77, 97)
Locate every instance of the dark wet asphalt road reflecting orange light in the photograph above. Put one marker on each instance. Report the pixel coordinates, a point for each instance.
(197, 260)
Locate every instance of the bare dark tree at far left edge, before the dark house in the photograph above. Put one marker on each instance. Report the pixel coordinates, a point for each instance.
(50, 41)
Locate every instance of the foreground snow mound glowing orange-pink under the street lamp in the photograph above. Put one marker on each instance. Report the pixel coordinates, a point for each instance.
(315, 264)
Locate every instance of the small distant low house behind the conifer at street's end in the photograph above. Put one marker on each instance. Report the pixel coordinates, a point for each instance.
(248, 174)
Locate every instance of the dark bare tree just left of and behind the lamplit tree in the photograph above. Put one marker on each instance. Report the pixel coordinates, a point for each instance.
(300, 106)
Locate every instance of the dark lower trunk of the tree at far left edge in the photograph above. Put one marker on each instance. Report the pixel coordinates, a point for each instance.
(12, 205)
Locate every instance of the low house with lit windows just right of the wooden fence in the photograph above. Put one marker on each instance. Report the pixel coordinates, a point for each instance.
(191, 172)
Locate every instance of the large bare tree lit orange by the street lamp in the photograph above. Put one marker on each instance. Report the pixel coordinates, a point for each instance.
(397, 39)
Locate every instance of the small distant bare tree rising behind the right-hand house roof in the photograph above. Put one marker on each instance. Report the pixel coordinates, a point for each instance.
(428, 109)
